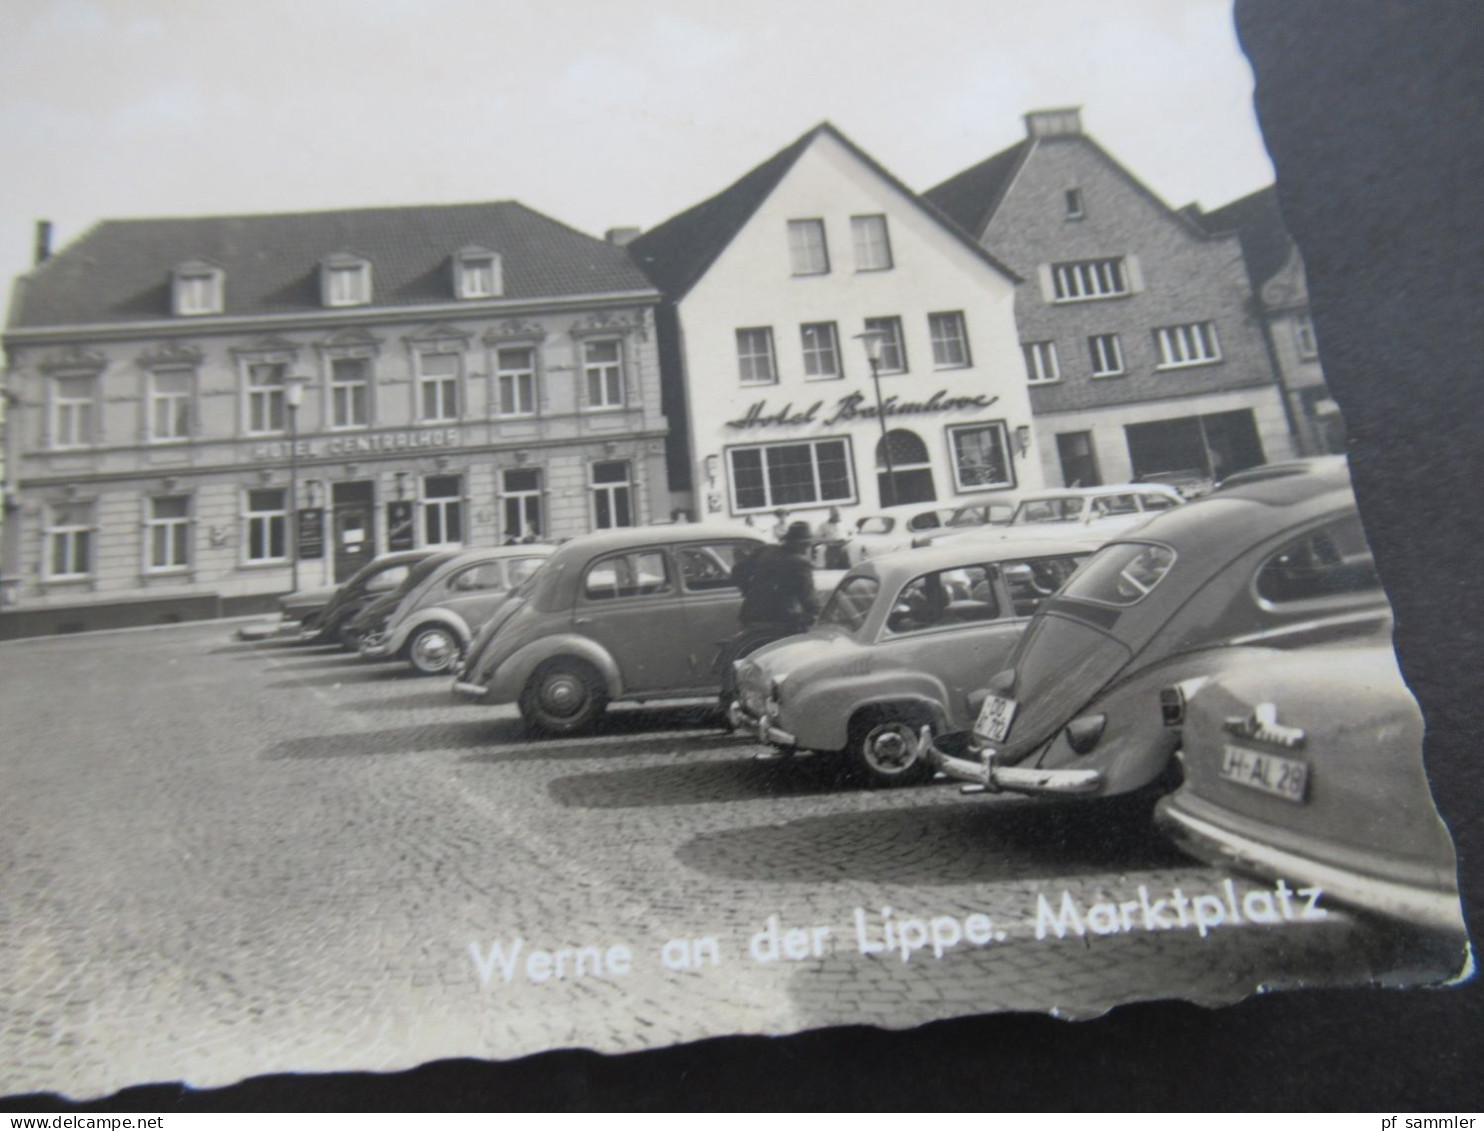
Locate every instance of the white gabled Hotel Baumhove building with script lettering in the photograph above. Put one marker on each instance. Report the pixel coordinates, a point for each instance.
(766, 387)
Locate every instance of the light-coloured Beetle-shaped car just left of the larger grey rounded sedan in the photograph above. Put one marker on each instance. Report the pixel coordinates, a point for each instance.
(437, 618)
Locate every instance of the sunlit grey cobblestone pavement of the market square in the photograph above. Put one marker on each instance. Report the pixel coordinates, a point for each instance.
(220, 860)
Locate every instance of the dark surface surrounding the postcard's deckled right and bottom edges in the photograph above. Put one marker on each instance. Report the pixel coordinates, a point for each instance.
(1373, 118)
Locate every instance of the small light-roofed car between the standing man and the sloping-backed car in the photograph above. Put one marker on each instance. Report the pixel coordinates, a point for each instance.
(902, 643)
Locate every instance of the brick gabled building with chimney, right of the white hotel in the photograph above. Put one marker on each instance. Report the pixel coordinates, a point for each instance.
(1143, 348)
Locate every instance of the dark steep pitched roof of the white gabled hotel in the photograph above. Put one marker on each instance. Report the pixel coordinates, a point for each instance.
(680, 252)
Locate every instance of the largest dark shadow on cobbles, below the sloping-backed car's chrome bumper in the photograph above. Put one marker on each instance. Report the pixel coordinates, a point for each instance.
(948, 844)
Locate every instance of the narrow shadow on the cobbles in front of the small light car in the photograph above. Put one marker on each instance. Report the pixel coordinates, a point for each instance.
(744, 780)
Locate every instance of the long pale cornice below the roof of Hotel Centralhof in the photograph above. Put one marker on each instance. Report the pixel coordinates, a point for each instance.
(318, 320)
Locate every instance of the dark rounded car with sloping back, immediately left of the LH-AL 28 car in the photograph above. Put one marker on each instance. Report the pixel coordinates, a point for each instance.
(1280, 563)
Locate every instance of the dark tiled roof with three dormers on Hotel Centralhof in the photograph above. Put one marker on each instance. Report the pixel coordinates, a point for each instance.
(121, 269)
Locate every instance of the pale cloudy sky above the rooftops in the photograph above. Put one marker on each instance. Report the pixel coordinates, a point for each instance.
(600, 114)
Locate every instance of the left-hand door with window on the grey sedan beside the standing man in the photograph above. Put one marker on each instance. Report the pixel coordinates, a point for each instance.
(631, 605)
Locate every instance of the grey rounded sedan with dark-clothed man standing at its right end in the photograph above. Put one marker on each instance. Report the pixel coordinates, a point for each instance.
(634, 614)
